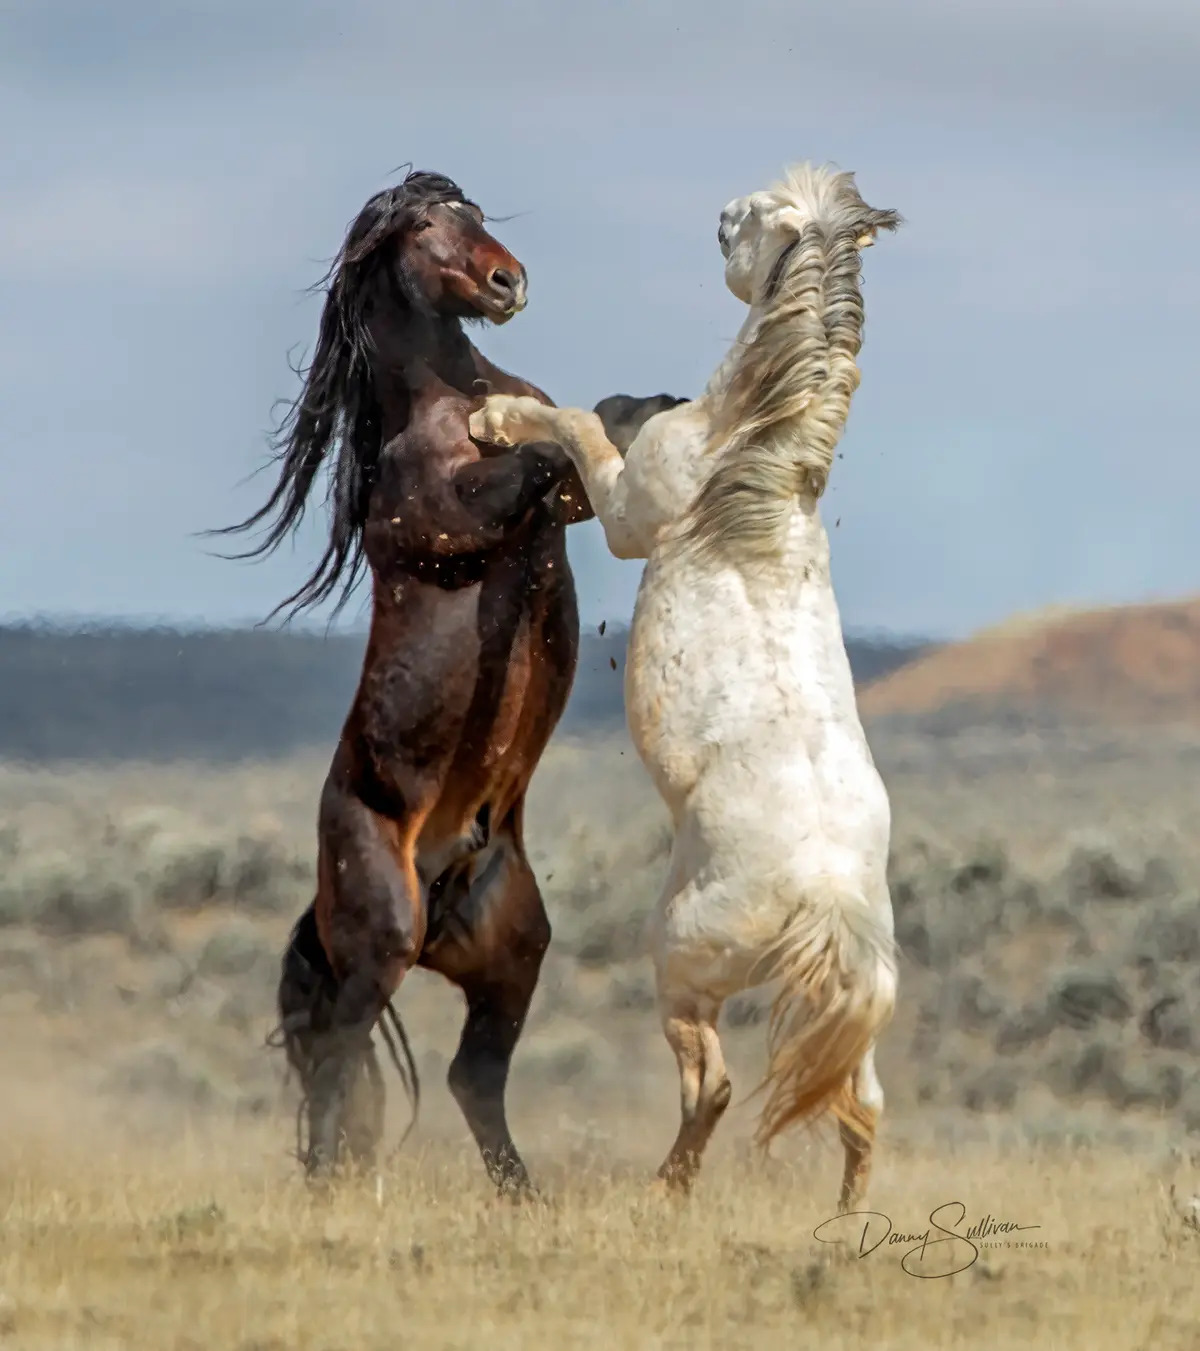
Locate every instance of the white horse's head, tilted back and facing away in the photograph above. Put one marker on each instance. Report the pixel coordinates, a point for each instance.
(757, 232)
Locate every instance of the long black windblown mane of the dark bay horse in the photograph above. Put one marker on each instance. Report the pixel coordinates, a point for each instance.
(339, 409)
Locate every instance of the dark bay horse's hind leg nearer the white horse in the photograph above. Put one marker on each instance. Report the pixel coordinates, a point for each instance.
(491, 945)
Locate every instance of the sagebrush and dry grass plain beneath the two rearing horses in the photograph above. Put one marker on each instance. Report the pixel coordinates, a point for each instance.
(1041, 1071)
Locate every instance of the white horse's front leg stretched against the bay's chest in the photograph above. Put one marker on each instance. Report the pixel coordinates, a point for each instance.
(507, 421)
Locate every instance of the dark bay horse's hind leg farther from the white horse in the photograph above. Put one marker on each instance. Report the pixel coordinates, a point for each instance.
(372, 919)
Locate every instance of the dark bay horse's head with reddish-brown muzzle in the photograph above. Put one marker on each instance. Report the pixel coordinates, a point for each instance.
(433, 241)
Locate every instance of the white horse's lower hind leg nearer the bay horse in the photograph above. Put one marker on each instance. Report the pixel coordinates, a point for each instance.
(705, 1086)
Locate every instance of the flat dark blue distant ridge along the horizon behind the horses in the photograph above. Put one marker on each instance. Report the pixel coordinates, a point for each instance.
(129, 694)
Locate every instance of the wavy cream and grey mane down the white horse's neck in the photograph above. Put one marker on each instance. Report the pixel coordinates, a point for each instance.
(783, 411)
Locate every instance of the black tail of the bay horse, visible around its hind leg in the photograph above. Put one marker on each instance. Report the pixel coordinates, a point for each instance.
(306, 999)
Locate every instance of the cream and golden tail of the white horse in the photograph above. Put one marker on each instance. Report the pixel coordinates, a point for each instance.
(837, 967)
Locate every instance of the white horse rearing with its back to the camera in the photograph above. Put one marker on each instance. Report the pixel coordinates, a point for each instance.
(739, 690)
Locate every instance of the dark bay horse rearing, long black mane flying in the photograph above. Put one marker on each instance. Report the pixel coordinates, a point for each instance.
(468, 667)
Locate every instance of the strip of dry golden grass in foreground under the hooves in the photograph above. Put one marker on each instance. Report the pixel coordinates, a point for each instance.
(203, 1246)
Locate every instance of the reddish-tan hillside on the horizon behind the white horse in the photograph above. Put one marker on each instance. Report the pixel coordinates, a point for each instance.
(1133, 664)
